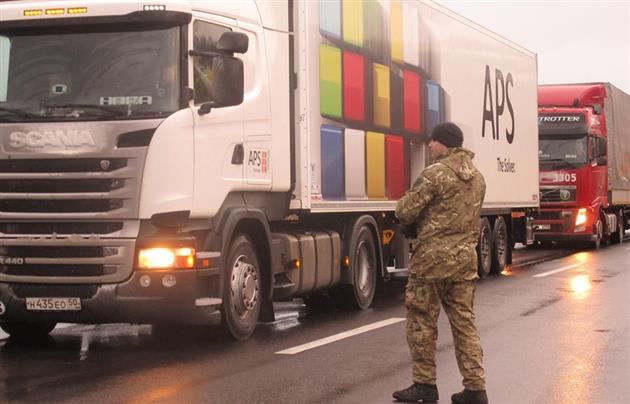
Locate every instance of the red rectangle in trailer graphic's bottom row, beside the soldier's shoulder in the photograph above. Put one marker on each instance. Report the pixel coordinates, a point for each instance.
(397, 179)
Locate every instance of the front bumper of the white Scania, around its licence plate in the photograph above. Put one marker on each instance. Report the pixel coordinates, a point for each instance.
(143, 298)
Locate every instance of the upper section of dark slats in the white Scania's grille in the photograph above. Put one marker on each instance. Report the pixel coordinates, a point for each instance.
(63, 187)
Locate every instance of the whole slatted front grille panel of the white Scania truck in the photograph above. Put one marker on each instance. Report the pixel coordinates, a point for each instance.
(69, 215)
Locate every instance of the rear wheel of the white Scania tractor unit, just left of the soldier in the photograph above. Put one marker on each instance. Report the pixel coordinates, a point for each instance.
(363, 265)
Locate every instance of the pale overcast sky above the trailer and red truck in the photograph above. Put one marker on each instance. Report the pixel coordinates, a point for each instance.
(576, 41)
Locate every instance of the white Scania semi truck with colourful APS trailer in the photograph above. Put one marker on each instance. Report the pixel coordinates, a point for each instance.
(192, 161)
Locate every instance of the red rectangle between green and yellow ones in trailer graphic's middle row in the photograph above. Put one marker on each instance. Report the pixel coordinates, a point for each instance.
(353, 86)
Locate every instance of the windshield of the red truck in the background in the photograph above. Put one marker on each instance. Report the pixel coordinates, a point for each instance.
(562, 152)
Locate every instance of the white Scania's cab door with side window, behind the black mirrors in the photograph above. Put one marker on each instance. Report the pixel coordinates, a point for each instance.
(218, 135)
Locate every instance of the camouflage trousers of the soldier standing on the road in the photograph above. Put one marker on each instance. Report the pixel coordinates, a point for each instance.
(423, 299)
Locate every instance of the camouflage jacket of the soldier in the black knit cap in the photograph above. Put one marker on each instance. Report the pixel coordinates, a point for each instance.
(445, 204)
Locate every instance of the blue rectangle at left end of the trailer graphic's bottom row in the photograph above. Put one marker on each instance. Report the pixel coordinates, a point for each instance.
(333, 179)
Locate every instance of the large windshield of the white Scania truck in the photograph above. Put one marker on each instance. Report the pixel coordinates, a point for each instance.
(84, 74)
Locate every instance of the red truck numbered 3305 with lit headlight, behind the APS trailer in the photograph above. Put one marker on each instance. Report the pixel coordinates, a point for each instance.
(584, 157)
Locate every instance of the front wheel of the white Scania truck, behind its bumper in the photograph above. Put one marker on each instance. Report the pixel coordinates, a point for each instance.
(242, 297)
